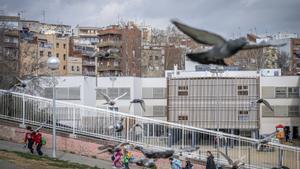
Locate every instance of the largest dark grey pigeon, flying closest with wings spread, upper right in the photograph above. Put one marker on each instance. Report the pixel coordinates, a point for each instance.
(221, 48)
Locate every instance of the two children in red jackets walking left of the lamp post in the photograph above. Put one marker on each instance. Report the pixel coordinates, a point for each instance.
(33, 138)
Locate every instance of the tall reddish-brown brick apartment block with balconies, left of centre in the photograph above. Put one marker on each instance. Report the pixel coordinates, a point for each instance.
(127, 40)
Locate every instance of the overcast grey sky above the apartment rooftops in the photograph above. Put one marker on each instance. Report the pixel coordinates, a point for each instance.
(226, 17)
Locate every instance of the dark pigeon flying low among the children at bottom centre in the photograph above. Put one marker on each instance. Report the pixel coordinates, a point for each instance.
(151, 153)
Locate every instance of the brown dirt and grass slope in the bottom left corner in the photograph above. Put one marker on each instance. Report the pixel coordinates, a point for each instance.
(18, 160)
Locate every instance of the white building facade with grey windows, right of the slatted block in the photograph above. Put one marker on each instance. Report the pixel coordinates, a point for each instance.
(283, 95)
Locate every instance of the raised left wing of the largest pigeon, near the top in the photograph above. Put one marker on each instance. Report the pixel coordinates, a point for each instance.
(200, 36)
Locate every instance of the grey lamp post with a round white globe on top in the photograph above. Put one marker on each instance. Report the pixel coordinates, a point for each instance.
(53, 64)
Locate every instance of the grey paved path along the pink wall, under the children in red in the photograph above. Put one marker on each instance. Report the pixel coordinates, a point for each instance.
(10, 146)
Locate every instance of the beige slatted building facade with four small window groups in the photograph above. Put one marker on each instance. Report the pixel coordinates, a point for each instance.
(227, 103)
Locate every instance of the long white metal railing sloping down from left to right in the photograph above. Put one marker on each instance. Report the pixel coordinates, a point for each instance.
(91, 121)
